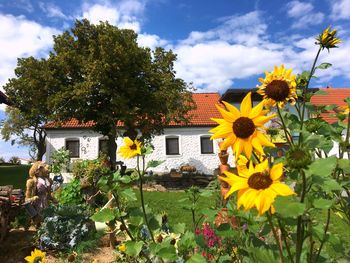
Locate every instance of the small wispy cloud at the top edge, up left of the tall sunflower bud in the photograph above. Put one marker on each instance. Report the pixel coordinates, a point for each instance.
(303, 14)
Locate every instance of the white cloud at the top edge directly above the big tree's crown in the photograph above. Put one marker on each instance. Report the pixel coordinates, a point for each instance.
(124, 14)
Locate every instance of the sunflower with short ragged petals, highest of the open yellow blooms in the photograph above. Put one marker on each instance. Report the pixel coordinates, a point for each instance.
(278, 87)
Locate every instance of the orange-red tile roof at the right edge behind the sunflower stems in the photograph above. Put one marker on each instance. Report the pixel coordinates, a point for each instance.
(335, 96)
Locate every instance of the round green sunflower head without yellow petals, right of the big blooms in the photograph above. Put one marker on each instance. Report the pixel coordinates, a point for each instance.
(298, 157)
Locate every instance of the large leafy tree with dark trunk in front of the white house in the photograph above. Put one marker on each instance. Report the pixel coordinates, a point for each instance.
(106, 77)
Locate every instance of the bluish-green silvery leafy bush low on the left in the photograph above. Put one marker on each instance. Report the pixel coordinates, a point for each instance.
(64, 227)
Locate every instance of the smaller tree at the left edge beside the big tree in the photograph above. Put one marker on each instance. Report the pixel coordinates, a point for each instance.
(28, 93)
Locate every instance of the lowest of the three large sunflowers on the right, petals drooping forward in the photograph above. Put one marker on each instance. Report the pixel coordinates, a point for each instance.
(257, 186)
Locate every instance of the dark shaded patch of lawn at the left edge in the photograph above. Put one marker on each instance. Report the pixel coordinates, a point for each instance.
(15, 175)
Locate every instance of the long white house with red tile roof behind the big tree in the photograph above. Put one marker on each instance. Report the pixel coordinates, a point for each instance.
(179, 144)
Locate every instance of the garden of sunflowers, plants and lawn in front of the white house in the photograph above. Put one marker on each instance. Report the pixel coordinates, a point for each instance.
(264, 207)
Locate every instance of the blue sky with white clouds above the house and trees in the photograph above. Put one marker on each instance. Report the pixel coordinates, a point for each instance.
(219, 44)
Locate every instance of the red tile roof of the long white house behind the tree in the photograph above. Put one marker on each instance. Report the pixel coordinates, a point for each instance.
(200, 116)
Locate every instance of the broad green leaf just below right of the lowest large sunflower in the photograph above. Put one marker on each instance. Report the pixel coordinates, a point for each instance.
(288, 206)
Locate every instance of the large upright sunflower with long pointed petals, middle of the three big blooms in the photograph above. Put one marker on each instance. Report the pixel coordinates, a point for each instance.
(242, 130)
